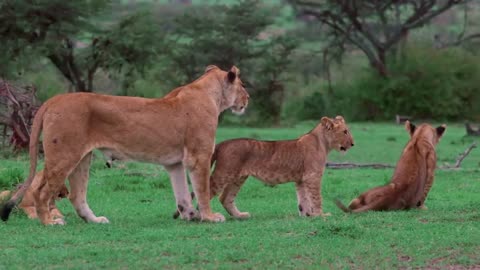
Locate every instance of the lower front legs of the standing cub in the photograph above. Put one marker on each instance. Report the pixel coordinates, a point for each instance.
(313, 189)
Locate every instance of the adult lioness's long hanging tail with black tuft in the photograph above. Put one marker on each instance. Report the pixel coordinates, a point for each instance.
(33, 148)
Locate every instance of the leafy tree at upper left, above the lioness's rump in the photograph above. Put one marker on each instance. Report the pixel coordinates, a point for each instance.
(72, 35)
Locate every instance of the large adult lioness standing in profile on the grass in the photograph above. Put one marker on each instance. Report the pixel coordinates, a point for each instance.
(177, 131)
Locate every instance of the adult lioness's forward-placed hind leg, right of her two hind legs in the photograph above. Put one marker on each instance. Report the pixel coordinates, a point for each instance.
(78, 194)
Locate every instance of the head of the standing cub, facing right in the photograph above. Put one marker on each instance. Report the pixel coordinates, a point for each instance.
(337, 133)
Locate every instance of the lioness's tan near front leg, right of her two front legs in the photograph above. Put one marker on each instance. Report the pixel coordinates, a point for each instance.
(199, 168)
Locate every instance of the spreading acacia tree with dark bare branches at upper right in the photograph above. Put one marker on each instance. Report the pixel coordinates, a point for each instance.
(373, 26)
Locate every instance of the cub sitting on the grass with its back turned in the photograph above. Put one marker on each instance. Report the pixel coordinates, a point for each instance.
(413, 176)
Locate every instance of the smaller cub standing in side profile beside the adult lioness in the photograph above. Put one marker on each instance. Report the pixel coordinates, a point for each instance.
(276, 162)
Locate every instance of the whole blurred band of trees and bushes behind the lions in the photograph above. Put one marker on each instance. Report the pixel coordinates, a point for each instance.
(364, 59)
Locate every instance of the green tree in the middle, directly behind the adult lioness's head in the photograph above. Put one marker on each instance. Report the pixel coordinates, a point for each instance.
(237, 34)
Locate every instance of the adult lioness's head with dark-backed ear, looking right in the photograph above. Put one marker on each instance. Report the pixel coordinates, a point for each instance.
(234, 96)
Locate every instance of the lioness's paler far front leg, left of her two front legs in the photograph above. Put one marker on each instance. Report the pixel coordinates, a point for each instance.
(180, 189)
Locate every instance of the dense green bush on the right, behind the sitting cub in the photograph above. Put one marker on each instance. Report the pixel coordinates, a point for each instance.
(426, 83)
